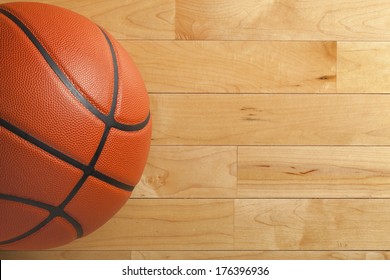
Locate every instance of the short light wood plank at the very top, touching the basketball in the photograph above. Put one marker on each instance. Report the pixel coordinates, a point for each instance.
(126, 19)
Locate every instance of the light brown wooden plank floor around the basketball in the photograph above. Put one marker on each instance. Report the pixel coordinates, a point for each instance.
(271, 135)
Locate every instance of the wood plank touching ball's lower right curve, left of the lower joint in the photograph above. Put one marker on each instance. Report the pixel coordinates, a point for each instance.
(165, 224)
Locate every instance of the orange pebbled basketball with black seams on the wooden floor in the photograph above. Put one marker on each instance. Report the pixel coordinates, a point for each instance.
(75, 126)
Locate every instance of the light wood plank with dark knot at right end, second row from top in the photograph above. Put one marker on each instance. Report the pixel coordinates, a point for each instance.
(232, 67)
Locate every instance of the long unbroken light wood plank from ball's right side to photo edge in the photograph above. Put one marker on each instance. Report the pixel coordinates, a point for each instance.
(300, 119)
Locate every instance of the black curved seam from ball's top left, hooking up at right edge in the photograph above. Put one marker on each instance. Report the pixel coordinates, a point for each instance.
(64, 79)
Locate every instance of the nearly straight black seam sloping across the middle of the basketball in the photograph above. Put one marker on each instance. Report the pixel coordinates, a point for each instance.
(60, 155)
